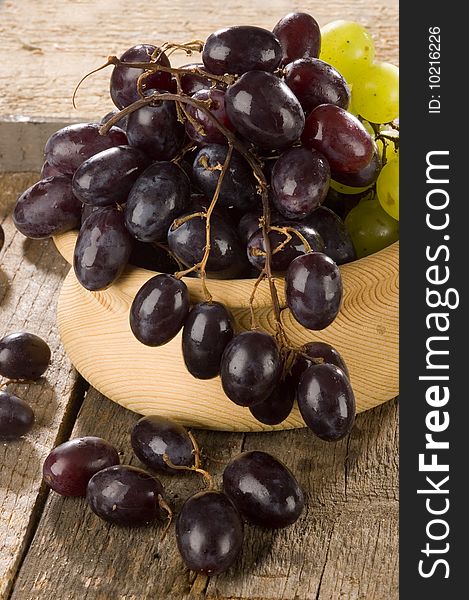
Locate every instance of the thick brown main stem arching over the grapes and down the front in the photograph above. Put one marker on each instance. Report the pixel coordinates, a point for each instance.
(246, 154)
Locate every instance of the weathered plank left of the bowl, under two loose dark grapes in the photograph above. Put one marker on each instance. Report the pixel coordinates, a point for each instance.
(31, 273)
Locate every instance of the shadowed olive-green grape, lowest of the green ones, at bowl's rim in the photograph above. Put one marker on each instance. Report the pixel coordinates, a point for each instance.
(371, 228)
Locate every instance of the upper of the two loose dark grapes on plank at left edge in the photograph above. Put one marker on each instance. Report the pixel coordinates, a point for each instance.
(23, 355)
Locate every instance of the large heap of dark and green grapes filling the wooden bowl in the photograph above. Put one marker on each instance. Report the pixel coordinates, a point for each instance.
(235, 167)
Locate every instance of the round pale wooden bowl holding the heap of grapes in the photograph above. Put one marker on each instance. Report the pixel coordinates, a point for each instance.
(94, 327)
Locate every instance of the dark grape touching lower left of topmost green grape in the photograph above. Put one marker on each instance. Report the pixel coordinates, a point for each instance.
(315, 82)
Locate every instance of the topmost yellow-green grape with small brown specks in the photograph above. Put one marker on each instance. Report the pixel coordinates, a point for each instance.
(347, 46)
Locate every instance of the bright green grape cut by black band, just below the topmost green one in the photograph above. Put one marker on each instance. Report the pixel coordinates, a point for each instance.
(376, 93)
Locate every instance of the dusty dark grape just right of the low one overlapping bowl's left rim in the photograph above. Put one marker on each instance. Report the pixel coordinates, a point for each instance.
(158, 196)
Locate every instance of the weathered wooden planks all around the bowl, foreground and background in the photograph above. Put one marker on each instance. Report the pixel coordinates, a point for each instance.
(345, 544)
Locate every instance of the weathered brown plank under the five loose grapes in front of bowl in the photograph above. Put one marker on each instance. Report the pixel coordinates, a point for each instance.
(342, 547)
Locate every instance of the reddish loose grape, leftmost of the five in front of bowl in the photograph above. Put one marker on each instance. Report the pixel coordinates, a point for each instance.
(70, 466)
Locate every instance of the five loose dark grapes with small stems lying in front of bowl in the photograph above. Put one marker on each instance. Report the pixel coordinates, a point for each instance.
(257, 488)
